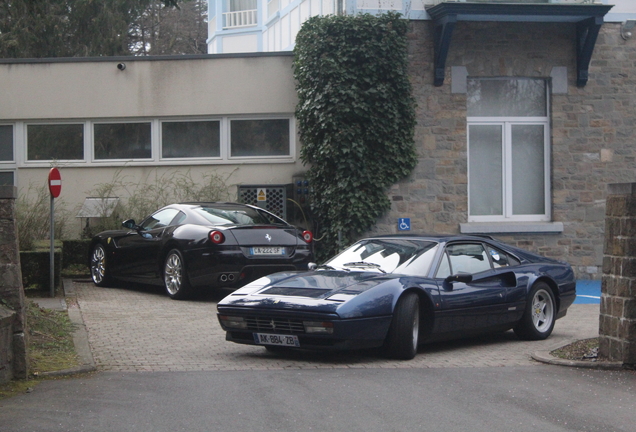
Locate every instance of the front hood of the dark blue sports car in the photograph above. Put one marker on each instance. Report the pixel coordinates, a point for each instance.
(323, 290)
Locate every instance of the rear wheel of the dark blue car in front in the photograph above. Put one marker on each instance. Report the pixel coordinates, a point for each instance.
(539, 316)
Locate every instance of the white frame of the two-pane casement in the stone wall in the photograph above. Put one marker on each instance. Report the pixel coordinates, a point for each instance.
(507, 123)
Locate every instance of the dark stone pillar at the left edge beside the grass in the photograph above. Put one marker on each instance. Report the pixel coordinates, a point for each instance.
(11, 290)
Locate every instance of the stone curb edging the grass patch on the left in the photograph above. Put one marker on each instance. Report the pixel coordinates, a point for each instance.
(80, 338)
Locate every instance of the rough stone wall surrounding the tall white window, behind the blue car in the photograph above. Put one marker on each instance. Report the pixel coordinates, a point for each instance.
(592, 131)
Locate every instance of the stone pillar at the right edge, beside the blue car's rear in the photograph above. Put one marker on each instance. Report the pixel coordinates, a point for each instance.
(617, 327)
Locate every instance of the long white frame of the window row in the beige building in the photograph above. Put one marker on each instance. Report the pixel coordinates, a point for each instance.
(20, 143)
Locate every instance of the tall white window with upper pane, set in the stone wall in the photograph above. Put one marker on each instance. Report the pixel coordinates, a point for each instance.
(508, 153)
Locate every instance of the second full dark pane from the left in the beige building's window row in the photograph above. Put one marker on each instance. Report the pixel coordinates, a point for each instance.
(122, 141)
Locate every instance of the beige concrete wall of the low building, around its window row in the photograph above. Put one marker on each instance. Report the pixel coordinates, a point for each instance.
(179, 87)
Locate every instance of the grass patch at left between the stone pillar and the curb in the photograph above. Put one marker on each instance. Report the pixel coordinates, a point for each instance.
(50, 347)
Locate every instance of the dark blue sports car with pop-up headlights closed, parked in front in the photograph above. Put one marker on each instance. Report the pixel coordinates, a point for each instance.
(401, 291)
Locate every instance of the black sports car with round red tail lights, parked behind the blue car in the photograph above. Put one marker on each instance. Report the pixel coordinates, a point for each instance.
(192, 245)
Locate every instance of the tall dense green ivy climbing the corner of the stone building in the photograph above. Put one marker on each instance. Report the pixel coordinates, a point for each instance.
(356, 118)
